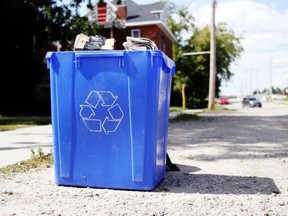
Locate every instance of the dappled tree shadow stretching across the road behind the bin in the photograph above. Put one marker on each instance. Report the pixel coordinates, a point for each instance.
(241, 137)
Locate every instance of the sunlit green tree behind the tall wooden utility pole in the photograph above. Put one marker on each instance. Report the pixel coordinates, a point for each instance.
(193, 70)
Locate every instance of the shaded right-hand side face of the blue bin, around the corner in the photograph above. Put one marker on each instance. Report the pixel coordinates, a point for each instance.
(159, 81)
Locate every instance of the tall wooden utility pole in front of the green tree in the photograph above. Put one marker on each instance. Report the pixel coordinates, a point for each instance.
(212, 72)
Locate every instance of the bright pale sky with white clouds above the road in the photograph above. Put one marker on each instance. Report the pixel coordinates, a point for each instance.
(263, 25)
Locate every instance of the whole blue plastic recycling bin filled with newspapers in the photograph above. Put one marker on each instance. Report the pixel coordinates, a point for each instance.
(110, 112)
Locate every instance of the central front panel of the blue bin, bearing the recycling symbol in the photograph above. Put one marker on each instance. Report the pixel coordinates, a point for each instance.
(103, 123)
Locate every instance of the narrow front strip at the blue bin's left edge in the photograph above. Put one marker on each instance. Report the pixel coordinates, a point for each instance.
(61, 75)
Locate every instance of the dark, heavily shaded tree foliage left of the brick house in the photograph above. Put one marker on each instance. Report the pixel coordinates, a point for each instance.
(28, 29)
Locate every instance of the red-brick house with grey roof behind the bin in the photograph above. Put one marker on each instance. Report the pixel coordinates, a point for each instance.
(119, 19)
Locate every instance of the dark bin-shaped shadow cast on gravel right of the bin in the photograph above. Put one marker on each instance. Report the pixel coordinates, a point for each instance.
(190, 182)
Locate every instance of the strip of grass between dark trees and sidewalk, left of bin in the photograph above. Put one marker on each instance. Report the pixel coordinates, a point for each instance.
(12, 123)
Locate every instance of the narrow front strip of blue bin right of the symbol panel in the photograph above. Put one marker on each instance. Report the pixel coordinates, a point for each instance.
(138, 67)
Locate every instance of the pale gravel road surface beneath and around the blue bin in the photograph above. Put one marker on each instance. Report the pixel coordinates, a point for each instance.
(231, 163)
